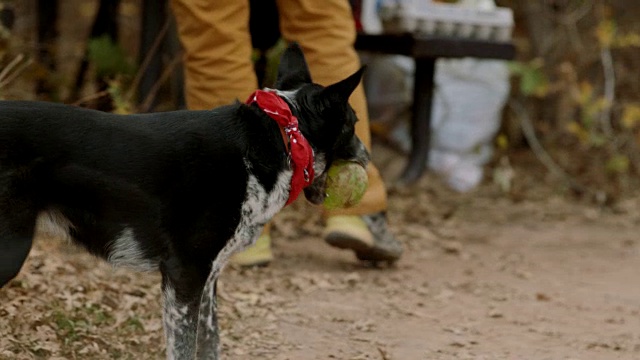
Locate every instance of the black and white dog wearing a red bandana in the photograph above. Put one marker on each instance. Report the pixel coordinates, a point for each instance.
(179, 191)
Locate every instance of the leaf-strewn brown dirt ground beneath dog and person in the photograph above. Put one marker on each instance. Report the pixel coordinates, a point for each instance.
(485, 275)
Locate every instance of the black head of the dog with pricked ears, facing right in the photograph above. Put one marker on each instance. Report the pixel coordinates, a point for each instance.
(325, 117)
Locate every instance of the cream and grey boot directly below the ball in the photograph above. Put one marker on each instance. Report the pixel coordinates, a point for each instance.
(367, 235)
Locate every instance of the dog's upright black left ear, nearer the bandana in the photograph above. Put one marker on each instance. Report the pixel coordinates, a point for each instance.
(293, 70)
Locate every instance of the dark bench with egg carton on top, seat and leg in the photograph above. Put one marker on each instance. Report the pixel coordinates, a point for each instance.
(425, 50)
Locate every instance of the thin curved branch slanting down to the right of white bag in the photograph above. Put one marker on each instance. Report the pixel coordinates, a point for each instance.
(538, 149)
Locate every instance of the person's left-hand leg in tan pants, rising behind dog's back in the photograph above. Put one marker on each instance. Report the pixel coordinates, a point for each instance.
(218, 70)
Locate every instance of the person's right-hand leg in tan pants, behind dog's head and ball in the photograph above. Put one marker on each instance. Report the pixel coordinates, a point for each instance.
(326, 32)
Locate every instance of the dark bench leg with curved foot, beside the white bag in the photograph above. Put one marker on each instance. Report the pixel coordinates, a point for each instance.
(420, 120)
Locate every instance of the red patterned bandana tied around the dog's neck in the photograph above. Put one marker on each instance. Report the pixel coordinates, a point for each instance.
(300, 152)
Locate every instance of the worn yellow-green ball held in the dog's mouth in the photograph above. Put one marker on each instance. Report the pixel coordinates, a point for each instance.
(346, 183)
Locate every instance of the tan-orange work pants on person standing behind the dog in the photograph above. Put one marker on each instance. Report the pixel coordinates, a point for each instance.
(218, 66)
